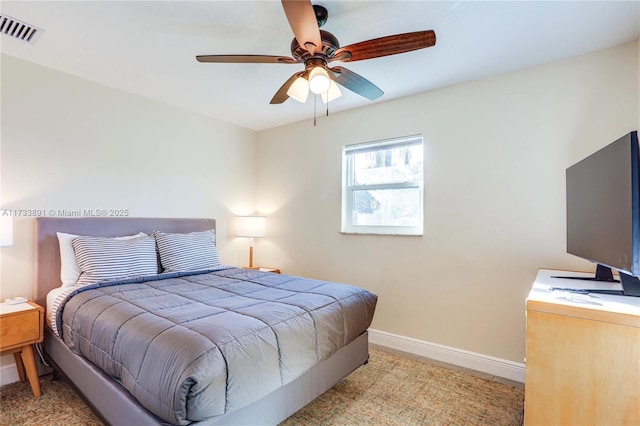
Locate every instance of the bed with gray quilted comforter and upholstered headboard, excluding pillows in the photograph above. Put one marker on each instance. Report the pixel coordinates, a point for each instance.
(340, 344)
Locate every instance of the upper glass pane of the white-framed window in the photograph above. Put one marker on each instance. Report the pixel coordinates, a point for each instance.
(391, 165)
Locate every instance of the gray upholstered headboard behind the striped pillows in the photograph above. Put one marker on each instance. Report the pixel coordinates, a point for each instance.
(47, 249)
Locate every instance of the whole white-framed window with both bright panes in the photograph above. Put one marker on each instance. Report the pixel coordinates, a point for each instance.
(382, 187)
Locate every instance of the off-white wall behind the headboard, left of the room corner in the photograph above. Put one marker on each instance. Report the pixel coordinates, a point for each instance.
(68, 143)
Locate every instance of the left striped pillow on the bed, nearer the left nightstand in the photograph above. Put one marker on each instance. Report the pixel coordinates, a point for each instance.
(109, 259)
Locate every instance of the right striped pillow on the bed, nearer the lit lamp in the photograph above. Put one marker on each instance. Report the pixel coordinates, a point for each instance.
(187, 252)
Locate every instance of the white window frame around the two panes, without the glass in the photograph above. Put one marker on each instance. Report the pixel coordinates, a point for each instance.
(347, 227)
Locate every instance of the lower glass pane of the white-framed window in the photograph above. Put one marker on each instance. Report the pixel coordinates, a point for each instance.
(386, 207)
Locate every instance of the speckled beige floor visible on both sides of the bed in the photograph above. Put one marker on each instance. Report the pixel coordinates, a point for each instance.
(389, 390)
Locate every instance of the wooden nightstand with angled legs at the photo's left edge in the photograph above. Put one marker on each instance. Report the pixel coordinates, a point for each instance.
(21, 326)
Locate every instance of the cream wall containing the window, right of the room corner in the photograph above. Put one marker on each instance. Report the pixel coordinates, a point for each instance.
(495, 155)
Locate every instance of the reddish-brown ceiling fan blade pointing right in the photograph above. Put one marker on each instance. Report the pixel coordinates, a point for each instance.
(389, 45)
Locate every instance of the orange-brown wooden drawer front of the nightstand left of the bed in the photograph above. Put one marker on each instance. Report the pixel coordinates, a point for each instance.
(19, 328)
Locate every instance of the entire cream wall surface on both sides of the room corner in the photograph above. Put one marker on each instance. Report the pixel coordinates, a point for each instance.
(496, 151)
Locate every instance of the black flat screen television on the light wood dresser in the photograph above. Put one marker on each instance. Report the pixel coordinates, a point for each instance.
(603, 212)
